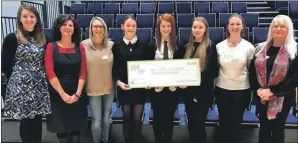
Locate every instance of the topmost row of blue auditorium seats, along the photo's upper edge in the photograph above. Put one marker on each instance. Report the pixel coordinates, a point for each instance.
(161, 7)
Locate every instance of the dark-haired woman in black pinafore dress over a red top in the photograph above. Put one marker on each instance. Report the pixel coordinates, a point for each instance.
(66, 70)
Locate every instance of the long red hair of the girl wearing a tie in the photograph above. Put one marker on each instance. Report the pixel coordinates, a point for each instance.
(169, 18)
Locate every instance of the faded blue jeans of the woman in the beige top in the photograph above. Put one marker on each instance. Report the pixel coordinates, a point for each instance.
(101, 109)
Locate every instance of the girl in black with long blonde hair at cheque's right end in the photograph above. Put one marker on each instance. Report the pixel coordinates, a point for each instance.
(198, 99)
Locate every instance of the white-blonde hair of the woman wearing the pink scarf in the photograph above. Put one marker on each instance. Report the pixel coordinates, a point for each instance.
(290, 42)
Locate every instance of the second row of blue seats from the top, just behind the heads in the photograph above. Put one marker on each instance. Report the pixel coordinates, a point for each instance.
(183, 19)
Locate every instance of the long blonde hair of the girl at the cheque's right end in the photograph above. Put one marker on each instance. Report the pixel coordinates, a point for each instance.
(202, 49)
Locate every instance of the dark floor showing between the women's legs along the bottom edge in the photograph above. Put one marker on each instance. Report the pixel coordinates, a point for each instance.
(10, 133)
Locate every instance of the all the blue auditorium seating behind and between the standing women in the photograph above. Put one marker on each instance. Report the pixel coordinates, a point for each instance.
(146, 12)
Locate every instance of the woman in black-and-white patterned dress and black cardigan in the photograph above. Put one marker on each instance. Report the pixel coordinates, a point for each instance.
(27, 97)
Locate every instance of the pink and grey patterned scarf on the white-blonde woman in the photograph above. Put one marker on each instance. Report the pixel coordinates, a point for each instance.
(278, 73)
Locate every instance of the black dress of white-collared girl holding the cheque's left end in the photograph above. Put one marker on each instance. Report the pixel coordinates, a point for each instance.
(123, 53)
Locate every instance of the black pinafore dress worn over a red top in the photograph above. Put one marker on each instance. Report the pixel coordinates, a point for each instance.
(66, 117)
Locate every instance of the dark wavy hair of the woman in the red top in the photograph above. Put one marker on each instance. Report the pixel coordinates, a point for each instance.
(76, 36)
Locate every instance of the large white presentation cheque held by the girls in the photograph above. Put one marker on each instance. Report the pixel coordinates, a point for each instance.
(163, 73)
